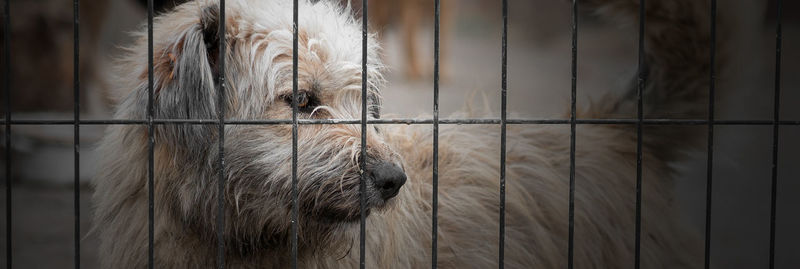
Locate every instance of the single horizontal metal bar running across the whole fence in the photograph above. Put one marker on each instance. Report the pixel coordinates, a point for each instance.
(405, 121)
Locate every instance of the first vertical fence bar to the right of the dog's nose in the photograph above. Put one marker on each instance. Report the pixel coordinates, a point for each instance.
(435, 198)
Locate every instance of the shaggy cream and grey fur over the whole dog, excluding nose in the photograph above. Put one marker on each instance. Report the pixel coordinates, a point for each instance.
(258, 158)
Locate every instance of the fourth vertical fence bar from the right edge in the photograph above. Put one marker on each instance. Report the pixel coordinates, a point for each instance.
(572, 116)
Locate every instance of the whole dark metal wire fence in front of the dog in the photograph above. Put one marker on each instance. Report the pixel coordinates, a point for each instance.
(503, 121)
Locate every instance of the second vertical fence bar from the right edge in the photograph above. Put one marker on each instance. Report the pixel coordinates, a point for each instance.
(710, 151)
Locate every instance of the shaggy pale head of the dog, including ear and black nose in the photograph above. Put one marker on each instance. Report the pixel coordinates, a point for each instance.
(258, 85)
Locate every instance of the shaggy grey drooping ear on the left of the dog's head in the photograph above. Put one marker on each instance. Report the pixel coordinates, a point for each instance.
(187, 79)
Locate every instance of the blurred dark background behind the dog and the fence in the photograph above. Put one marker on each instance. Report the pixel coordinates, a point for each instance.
(538, 87)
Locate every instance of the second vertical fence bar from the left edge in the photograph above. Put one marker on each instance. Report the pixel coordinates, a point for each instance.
(76, 135)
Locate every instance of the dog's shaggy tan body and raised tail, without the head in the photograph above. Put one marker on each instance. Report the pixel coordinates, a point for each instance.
(676, 71)
